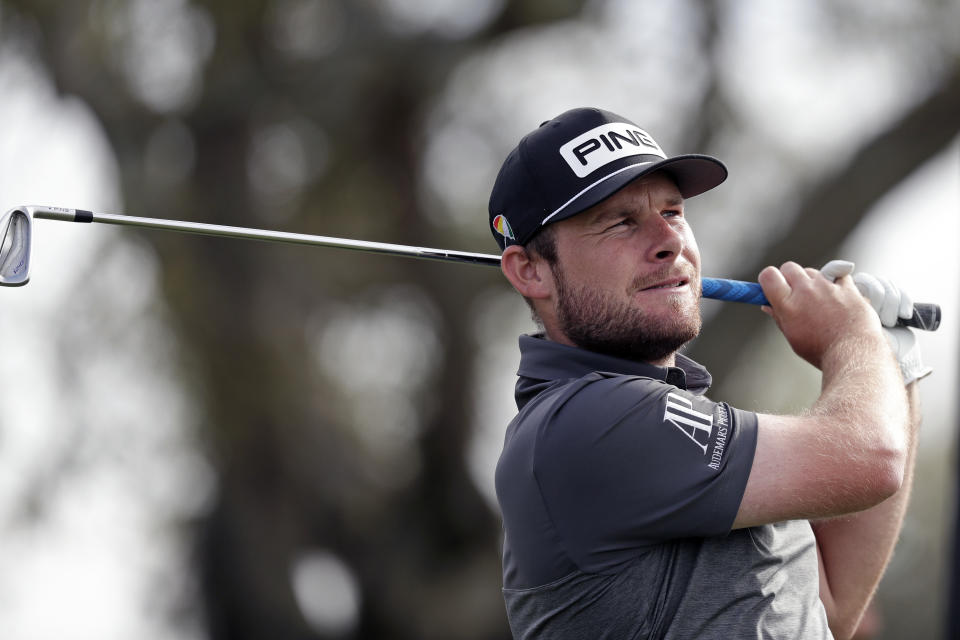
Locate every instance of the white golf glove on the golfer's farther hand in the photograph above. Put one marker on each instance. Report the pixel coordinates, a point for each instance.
(890, 303)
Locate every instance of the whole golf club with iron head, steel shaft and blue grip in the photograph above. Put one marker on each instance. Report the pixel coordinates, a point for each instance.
(16, 229)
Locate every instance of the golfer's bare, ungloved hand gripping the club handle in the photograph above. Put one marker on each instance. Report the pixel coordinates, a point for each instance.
(815, 313)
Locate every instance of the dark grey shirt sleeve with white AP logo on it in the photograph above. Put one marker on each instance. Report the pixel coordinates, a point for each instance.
(626, 462)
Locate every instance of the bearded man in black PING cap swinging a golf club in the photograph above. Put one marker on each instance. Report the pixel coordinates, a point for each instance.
(635, 507)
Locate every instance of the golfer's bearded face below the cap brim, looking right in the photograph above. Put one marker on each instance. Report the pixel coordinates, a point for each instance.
(628, 274)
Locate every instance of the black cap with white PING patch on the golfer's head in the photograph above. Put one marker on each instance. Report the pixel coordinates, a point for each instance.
(576, 160)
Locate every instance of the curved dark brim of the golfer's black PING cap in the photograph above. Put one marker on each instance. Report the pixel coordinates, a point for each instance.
(693, 173)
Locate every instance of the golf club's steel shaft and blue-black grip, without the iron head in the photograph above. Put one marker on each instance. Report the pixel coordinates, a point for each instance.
(926, 316)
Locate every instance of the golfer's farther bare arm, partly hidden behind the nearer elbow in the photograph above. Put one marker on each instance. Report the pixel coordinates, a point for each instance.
(854, 550)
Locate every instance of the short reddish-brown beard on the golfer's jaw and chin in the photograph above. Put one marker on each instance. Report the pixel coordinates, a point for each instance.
(594, 320)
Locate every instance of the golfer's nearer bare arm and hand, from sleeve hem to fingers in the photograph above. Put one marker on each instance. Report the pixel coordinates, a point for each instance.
(848, 452)
